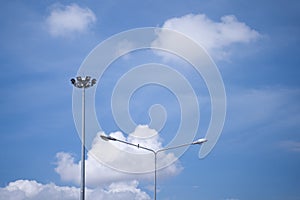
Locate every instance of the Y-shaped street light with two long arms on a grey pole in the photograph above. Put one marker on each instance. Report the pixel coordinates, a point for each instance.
(199, 141)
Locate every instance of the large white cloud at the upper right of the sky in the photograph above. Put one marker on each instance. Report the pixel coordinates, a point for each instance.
(214, 36)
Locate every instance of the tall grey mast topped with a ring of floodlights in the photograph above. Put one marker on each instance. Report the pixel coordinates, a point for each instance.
(83, 83)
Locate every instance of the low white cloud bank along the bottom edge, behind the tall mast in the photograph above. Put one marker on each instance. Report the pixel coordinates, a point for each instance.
(32, 190)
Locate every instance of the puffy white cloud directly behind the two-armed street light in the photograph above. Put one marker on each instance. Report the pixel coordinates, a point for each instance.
(119, 160)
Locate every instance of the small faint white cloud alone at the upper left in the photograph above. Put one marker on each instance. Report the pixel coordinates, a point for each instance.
(66, 20)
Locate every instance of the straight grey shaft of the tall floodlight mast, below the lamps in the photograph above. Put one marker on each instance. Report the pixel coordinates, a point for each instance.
(82, 186)
